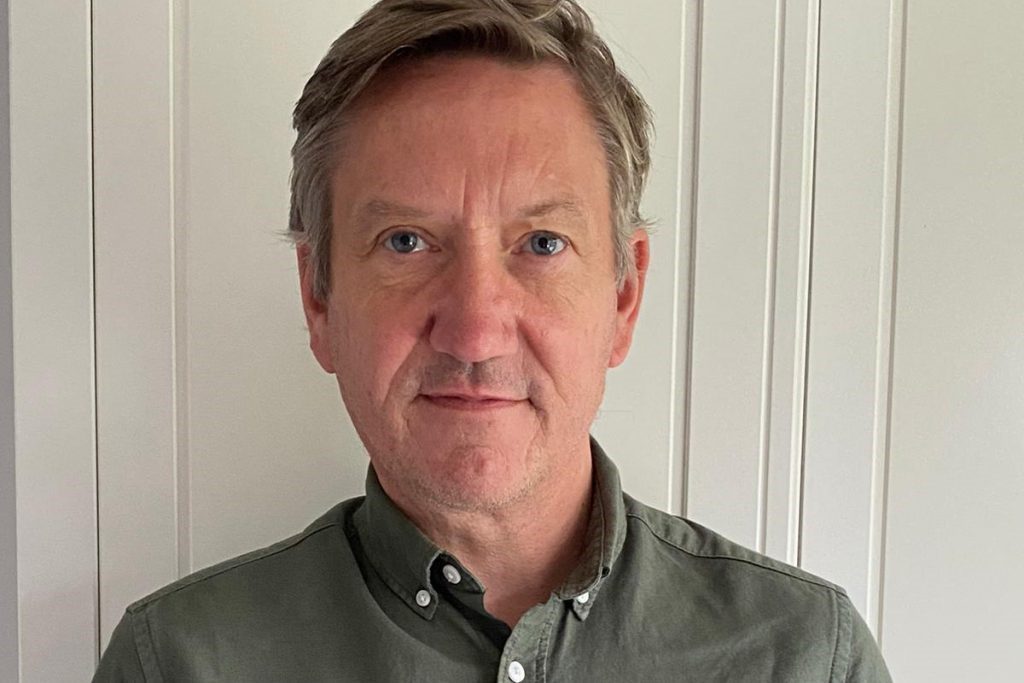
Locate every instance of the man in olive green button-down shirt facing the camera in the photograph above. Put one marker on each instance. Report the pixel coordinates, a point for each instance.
(465, 200)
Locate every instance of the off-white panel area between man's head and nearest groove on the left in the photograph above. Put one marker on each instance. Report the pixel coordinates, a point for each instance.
(270, 445)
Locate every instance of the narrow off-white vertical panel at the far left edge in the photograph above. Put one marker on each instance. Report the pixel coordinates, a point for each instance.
(52, 245)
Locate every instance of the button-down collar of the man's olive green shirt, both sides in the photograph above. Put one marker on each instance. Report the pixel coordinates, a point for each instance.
(404, 557)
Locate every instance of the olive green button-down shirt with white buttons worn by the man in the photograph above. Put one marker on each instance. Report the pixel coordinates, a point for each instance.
(362, 595)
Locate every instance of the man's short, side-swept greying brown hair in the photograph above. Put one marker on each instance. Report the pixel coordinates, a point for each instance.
(518, 31)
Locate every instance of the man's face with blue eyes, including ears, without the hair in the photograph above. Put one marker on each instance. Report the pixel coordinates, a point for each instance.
(474, 308)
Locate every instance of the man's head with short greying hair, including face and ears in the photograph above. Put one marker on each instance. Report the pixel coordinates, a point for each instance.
(465, 199)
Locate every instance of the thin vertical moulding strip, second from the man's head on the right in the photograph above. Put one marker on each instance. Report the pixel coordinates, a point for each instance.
(772, 276)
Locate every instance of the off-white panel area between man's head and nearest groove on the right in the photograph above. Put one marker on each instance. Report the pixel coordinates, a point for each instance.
(636, 423)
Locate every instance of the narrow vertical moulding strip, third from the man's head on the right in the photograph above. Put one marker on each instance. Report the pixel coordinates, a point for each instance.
(804, 276)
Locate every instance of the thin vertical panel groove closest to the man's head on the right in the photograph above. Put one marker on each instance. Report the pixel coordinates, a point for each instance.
(698, 23)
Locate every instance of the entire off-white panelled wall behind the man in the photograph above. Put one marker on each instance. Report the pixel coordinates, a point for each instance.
(829, 368)
